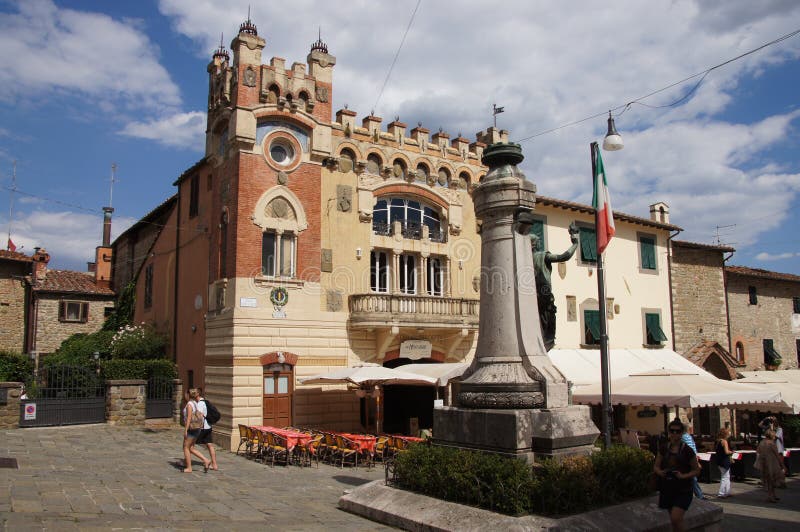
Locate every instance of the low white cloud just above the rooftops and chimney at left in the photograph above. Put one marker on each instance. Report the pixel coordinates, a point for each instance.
(69, 237)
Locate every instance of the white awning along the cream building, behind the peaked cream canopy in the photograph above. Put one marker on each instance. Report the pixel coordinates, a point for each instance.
(582, 366)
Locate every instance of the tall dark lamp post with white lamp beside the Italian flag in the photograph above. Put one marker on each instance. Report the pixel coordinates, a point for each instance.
(611, 142)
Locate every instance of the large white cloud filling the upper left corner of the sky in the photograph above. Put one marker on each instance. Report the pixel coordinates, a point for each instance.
(48, 49)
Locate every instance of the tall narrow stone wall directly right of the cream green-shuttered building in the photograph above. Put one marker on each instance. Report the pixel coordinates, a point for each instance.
(698, 297)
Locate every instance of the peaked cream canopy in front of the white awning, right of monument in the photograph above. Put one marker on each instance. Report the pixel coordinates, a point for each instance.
(688, 389)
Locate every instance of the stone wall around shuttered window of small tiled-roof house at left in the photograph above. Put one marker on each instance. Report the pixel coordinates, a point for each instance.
(50, 332)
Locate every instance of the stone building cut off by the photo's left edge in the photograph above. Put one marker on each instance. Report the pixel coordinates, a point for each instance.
(15, 270)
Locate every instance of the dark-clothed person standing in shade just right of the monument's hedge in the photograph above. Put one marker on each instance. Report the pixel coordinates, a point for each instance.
(676, 464)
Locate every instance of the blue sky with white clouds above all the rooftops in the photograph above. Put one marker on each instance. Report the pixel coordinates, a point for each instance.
(87, 84)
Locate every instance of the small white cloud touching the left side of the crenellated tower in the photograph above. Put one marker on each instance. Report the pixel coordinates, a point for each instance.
(184, 130)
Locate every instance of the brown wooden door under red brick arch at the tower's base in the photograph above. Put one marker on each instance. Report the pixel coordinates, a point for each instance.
(278, 388)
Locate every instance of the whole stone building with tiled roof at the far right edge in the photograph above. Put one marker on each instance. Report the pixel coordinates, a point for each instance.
(764, 309)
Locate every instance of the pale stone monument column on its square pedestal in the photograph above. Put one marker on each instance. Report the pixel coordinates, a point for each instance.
(512, 400)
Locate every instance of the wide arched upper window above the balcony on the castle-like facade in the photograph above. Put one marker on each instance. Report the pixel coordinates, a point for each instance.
(411, 214)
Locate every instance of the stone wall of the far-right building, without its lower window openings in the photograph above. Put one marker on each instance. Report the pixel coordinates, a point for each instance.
(769, 318)
